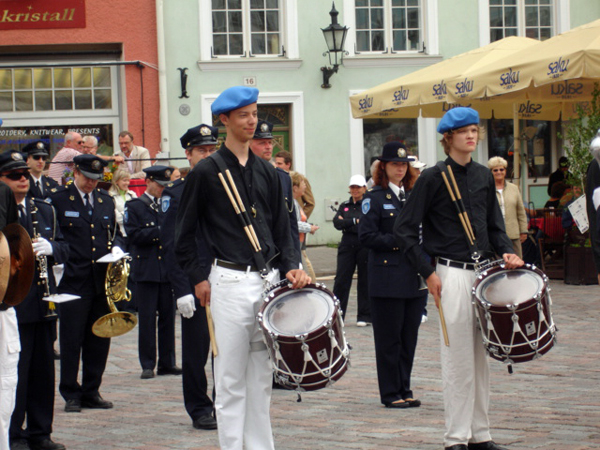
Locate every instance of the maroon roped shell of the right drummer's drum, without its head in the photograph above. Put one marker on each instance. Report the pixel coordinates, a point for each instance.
(497, 323)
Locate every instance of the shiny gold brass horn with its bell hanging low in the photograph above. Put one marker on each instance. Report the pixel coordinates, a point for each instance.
(116, 322)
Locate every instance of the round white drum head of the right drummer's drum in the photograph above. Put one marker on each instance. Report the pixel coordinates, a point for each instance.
(510, 287)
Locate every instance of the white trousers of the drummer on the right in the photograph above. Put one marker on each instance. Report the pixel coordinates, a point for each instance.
(465, 370)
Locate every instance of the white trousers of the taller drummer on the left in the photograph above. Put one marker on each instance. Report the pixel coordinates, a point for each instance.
(243, 373)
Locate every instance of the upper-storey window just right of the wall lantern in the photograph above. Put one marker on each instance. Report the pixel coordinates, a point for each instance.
(388, 26)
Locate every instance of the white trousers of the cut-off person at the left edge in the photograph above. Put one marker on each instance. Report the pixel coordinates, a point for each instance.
(10, 346)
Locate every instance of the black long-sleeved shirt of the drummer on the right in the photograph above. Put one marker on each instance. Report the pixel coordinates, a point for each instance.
(443, 234)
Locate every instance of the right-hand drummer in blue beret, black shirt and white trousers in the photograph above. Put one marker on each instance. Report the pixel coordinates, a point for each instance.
(465, 372)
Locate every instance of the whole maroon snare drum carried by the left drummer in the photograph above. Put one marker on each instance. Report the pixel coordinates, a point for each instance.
(304, 333)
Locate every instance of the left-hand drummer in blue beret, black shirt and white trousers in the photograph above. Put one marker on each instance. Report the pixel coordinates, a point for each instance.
(243, 374)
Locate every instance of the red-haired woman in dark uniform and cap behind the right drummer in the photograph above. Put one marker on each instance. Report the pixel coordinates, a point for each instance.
(397, 301)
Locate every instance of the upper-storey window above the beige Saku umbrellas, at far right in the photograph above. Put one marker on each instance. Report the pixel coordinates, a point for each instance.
(530, 18)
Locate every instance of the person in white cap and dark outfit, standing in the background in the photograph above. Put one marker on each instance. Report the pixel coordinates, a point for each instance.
(351, 254)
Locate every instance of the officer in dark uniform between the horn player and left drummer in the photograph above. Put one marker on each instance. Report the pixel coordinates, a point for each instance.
(149, 271)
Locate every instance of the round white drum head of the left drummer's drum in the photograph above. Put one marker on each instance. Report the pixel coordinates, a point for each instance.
(298, 311)
